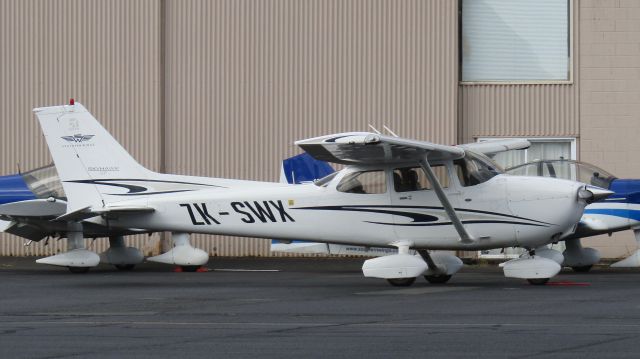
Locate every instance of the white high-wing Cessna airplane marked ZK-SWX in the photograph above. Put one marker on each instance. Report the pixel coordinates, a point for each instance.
(393, 192)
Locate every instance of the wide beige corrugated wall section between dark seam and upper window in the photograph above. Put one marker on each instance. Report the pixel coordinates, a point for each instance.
(245, 79)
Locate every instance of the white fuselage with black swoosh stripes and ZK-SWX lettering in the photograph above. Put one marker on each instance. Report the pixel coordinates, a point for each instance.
(368, 206)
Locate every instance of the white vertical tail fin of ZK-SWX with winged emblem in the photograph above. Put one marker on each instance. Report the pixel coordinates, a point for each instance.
(85, 154)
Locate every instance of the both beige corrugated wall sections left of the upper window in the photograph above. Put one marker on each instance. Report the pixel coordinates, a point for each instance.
(223, 88)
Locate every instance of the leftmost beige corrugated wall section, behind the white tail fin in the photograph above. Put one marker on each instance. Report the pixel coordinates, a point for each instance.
(105, 54)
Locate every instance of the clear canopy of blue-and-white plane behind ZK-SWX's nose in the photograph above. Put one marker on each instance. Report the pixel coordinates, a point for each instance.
(566, 169)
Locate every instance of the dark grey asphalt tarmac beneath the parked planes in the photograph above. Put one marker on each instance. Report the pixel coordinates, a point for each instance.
(311, 308)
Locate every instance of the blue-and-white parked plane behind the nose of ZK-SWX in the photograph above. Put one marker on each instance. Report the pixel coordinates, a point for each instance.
(619, 212)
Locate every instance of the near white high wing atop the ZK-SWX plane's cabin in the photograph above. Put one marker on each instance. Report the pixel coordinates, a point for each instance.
(371, 148)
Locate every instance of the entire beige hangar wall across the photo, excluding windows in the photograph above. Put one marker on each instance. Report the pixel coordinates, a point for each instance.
(223, 88)
